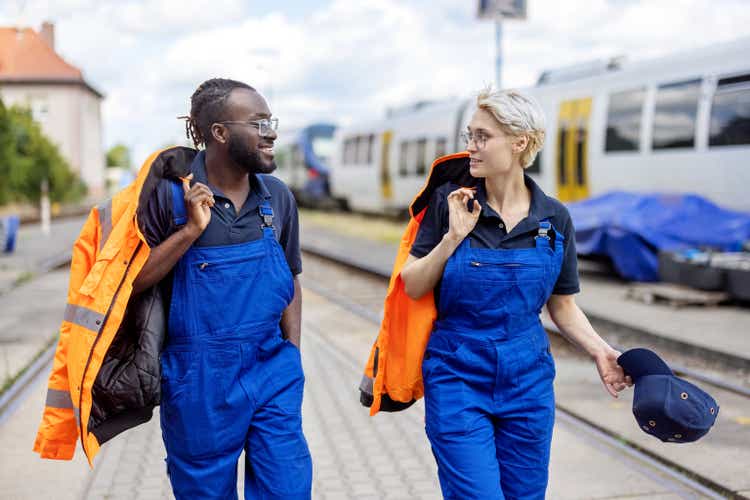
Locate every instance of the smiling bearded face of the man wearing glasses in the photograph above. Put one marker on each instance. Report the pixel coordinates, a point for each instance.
(245, 146)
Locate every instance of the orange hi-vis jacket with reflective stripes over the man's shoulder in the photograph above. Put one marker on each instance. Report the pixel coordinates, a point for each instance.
(107, 256)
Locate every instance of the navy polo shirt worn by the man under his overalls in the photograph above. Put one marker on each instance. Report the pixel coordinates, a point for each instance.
(227, 227)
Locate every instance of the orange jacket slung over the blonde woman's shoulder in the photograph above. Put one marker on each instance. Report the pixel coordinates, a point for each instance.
(393, 375)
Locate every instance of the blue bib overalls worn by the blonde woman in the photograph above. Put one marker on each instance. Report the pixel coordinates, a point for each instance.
(488, 371)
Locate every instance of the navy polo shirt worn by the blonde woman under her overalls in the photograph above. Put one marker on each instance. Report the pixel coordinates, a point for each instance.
(490, 231)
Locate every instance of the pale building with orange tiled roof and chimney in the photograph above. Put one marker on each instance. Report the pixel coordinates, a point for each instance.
(68, 108)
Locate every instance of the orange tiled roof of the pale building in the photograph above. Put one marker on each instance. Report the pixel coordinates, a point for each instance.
(25, 57)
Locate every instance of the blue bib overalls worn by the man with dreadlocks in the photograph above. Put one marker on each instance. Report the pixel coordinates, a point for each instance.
(229, 380)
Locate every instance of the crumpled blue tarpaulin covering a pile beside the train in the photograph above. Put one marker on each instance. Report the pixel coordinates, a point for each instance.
(632, 228)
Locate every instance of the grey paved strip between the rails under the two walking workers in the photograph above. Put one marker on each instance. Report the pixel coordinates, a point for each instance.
(355, 456)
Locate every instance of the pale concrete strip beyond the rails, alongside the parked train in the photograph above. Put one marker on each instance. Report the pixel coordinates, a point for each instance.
(721, 332)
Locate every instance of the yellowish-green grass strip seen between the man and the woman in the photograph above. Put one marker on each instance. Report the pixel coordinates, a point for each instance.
(357, 225)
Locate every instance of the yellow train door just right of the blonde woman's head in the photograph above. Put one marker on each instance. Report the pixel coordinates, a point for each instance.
(572, 149)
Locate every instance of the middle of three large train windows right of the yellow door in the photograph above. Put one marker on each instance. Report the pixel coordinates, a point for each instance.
(674, 115)
